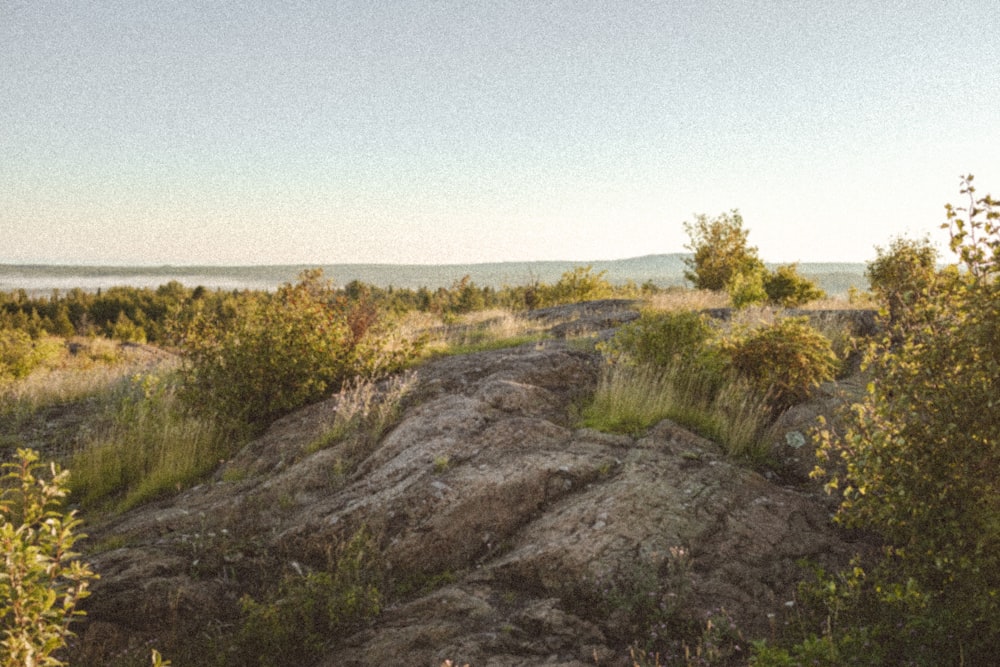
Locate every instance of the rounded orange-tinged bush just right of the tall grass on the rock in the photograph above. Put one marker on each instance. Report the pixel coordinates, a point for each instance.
(785, 360)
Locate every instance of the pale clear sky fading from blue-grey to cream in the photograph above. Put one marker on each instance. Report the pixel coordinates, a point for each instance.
(365, 131)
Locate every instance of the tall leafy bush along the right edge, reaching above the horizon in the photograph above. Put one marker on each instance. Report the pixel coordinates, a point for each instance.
(917, 461)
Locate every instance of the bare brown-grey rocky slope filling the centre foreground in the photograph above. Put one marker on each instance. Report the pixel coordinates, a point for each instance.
(524, 539)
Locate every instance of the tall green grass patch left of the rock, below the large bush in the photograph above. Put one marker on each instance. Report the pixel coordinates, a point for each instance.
(150, 444)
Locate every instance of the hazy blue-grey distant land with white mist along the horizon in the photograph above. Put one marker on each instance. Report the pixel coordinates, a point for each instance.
(662, 270)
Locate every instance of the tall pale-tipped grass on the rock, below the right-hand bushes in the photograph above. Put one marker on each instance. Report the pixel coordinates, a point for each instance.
(631, 398)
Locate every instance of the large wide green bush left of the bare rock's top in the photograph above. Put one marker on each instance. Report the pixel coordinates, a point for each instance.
(276, 353)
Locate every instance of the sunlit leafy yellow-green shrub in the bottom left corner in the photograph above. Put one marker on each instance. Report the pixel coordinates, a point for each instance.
(42, 582)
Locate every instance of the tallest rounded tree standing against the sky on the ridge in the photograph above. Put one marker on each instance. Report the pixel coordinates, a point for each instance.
(720, 251)
